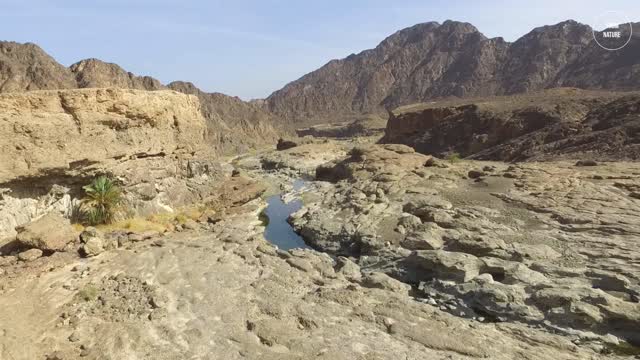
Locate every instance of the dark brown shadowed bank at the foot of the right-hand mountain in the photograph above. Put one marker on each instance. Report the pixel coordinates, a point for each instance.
(559, 123)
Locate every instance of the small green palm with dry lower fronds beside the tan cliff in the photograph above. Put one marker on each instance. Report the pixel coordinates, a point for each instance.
(101, 202)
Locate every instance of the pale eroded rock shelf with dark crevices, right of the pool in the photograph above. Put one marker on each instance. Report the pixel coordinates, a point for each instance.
(545, 244)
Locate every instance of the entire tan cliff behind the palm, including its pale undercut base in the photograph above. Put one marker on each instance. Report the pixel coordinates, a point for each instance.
(54, 142)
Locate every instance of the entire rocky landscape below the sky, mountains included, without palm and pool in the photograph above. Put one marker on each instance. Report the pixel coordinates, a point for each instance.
(435, 242)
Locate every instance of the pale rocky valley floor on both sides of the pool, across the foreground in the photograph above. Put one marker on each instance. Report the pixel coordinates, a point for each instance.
(437, 268)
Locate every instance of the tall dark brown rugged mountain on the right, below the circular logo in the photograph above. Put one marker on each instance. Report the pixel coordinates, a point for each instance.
(453, 59)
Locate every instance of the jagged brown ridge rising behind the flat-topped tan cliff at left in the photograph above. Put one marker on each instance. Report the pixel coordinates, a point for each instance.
(234, 125)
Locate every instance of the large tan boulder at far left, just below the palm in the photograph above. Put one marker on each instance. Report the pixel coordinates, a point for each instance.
(51, 232)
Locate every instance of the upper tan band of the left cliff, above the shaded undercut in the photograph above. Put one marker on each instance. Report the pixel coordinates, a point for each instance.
(47, 130)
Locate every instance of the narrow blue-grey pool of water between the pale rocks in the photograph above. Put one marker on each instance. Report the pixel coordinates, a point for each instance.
(278, 230)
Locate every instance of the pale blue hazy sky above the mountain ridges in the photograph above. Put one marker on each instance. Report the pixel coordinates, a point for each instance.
(252, 48)
